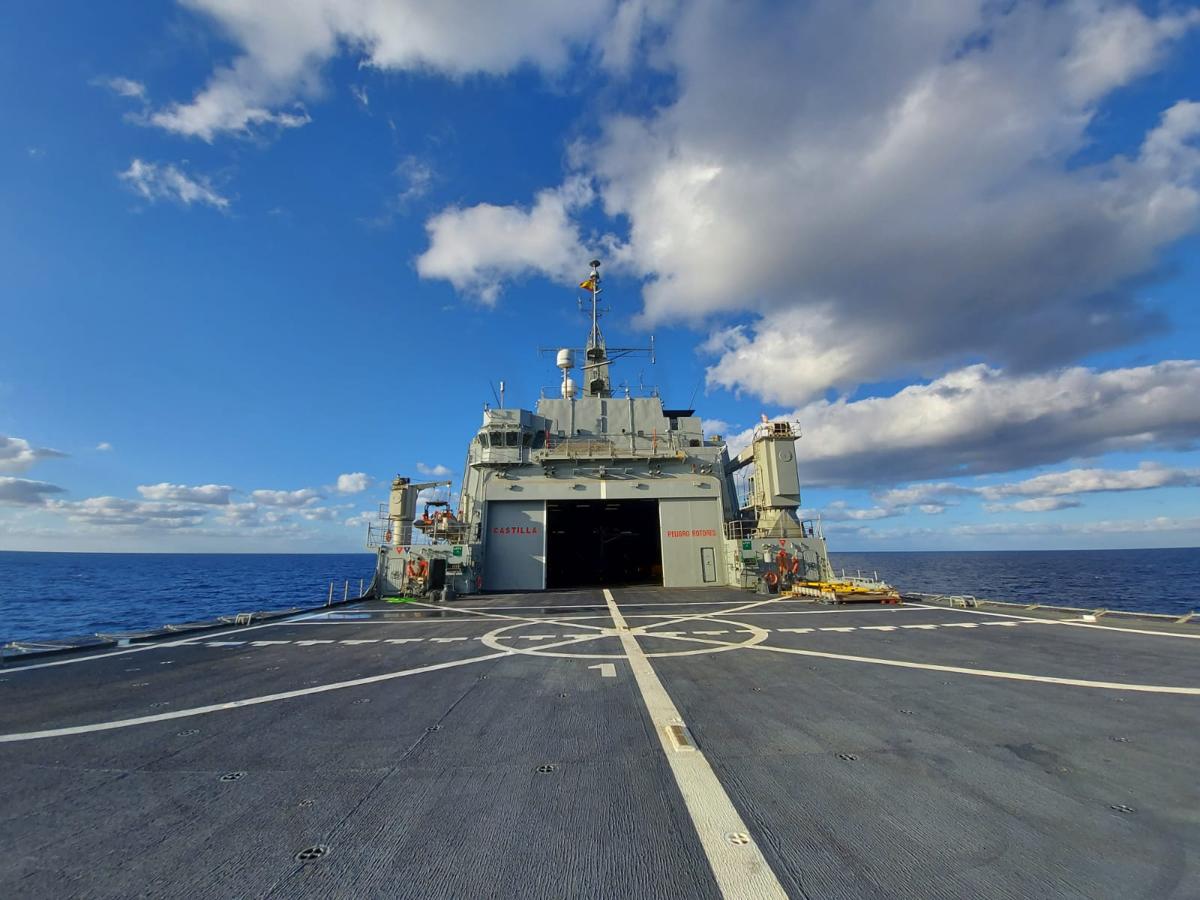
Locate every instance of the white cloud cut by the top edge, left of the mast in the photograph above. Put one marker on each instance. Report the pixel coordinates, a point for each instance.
(284, 47)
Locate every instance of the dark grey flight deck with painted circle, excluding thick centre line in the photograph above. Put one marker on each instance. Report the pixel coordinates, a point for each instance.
(855, 777)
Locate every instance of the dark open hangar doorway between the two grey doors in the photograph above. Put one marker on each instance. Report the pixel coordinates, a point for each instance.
(603, 543)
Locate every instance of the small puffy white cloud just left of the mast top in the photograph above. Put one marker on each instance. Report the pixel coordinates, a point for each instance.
(478, 248)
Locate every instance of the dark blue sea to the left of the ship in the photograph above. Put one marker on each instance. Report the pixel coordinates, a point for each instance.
(75, 595)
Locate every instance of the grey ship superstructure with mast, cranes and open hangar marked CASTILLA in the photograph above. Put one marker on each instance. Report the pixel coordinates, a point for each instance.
(597, 487)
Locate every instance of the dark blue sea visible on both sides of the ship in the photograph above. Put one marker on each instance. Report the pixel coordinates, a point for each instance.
(45, 596)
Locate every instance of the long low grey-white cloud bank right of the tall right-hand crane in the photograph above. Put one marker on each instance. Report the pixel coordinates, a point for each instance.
(979, 421)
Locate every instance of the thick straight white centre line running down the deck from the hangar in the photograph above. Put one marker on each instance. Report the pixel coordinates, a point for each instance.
(741, 871)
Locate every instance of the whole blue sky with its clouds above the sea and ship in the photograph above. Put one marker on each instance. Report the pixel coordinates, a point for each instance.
(256, 260)
